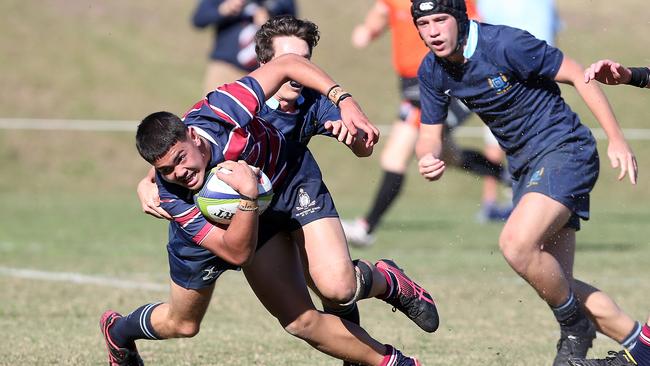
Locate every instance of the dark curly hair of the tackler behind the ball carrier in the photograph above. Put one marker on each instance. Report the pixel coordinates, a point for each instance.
(285, 25)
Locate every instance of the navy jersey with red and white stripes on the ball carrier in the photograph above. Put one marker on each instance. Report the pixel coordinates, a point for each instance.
(227, 119)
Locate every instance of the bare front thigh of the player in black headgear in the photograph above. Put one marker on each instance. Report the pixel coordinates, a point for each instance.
(535, 219)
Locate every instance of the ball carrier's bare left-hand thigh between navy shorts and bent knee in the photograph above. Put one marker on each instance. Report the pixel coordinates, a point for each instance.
(189, 304)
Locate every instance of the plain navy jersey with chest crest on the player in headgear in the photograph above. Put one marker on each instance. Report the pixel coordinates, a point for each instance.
(508, 81)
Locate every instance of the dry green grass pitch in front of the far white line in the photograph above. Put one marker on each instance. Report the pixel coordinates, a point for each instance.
(90, 223)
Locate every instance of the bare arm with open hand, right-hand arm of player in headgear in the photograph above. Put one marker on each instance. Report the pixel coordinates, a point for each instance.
(619, 152)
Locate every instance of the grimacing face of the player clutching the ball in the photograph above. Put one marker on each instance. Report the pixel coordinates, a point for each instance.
(184, 164)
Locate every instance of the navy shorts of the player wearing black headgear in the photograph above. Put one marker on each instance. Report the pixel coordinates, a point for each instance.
(566, 174)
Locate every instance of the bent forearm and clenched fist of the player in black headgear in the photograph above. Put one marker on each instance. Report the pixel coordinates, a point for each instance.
(428, 149)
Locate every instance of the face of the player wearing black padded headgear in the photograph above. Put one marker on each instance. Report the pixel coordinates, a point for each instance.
(439, 32)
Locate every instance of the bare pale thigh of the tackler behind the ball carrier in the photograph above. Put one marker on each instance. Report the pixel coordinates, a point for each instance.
(324, 249)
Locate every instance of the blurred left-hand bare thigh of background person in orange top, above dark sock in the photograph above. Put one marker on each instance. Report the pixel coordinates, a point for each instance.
(400, 147)
